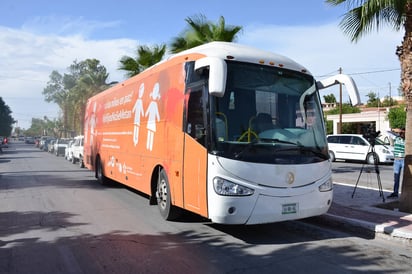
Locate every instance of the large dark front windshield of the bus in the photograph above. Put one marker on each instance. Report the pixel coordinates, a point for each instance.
(268, 115)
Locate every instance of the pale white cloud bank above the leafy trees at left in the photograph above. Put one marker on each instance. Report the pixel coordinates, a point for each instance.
(27, 60)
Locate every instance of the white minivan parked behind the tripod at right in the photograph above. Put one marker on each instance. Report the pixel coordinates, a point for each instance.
(357, 148)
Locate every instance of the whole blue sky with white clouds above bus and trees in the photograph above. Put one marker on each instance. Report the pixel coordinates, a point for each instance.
(37, 37)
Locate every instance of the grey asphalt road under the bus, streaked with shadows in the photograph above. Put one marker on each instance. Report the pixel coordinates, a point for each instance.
(55, 218)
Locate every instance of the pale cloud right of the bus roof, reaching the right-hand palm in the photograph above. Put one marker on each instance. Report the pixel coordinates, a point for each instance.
(324, 49)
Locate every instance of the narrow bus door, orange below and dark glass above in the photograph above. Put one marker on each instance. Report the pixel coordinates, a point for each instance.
(195, 152)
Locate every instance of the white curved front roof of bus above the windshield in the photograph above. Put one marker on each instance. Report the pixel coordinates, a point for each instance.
(243, 53)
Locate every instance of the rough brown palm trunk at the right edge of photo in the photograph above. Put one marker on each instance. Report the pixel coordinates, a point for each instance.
(405, 56)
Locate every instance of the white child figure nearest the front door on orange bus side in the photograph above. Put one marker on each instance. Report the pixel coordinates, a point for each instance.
(152, 113)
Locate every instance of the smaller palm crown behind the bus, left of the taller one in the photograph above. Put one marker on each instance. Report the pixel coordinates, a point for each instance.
(146, 57)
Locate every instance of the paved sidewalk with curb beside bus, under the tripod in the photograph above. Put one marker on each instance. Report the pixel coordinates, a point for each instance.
(366, 211)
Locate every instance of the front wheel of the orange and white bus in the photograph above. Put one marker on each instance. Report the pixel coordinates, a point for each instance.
(164, 203)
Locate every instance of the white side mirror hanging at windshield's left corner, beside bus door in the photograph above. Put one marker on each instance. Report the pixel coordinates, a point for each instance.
(217, 74)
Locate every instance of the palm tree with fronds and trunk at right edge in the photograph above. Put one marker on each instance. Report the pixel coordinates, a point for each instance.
(362, 17)
